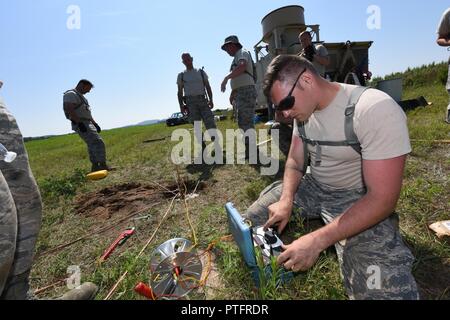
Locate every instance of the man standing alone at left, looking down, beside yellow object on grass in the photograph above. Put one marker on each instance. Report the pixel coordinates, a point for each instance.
(77, 109)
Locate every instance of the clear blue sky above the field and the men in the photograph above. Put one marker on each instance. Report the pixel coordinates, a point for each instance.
(131, 49)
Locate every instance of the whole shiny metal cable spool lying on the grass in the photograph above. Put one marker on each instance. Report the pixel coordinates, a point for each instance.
(175, 269)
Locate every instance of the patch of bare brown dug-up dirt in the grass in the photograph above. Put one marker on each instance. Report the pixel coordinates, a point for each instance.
(126, 198)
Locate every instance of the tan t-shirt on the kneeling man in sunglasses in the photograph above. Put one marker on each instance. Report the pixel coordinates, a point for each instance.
(380, 125)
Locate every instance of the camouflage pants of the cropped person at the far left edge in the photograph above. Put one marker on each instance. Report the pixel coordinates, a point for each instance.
(20, 213)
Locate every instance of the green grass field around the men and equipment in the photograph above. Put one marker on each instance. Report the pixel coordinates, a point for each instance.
(60, 163)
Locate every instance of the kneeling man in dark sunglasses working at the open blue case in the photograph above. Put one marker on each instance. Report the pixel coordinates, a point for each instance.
(357, 141)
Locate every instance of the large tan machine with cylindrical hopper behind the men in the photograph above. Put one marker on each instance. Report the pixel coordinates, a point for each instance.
(349, 61)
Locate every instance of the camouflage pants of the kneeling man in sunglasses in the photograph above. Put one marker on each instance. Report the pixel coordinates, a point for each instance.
(379, 248)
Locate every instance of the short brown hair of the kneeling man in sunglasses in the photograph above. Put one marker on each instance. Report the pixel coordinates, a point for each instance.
(286, 68)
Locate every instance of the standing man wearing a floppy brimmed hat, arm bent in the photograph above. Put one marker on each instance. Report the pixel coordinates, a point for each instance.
(243, 87)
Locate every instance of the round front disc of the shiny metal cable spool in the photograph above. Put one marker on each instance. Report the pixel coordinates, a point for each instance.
(177, 275)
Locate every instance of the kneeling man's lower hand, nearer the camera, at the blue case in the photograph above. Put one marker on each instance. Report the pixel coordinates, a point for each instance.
(301, 255)
